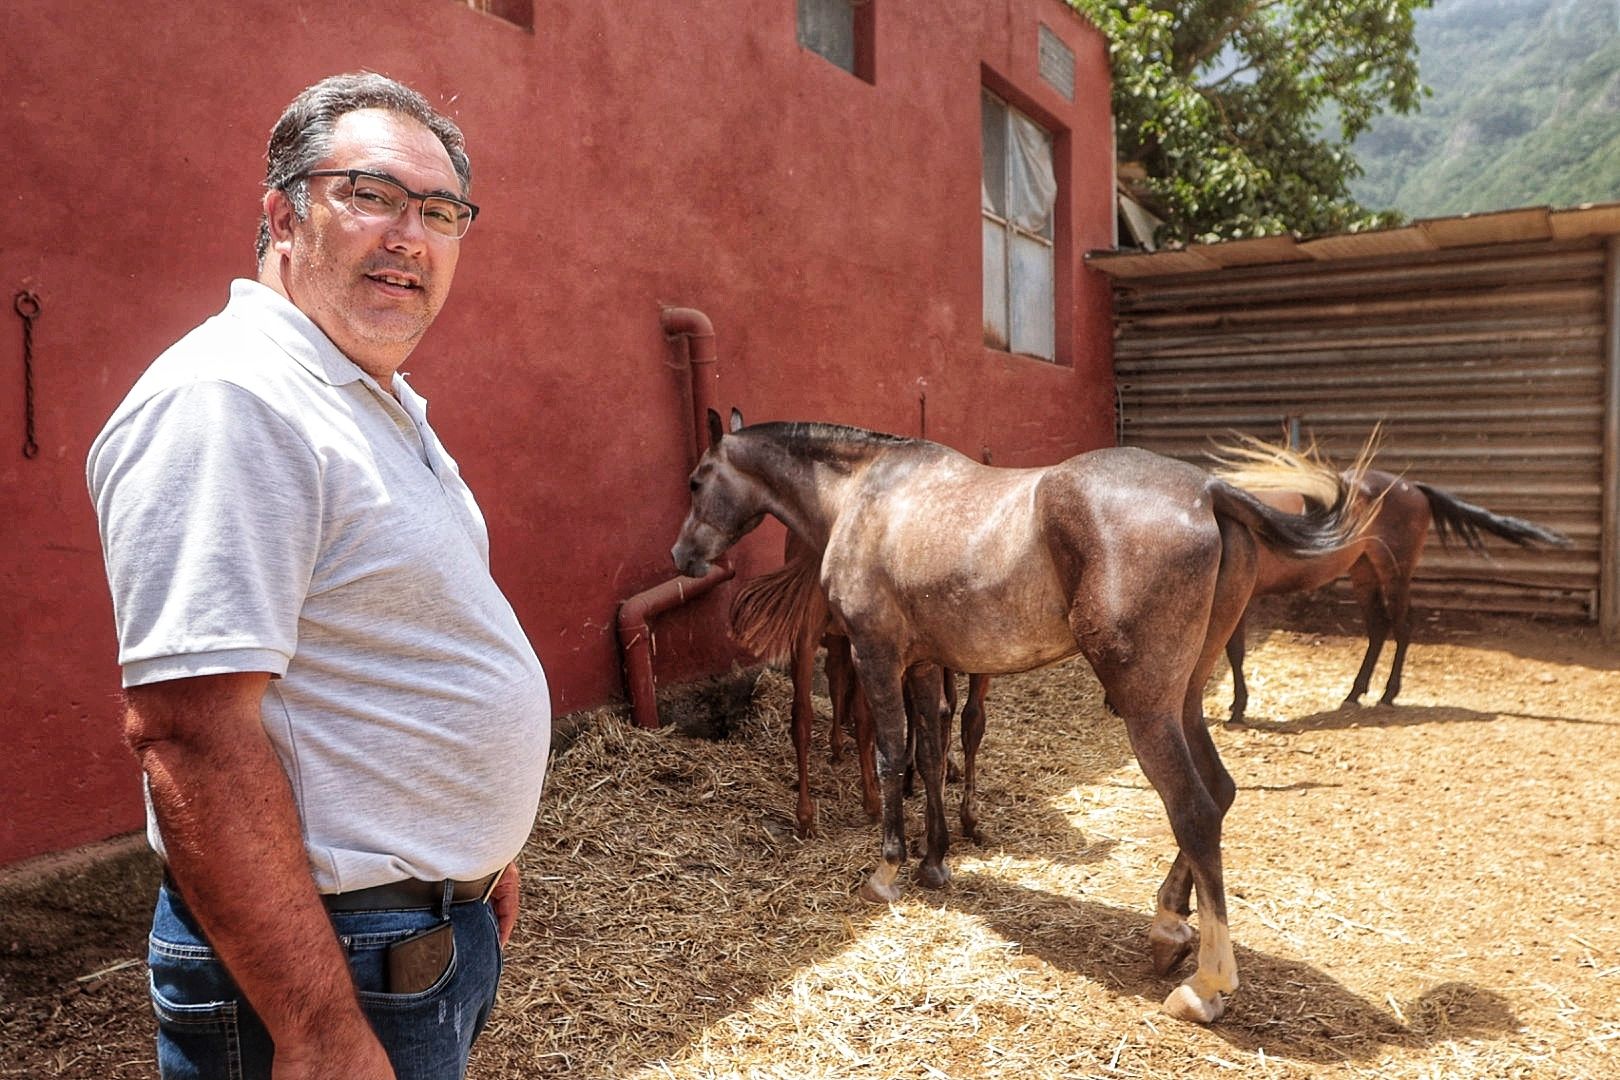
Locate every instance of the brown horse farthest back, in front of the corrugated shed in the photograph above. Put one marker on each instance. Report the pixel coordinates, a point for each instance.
(1381, 561)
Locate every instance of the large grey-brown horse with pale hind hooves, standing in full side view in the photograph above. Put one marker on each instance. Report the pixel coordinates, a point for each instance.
(1136, 561)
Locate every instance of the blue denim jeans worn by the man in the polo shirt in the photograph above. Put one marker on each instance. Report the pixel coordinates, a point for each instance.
(207, 1031)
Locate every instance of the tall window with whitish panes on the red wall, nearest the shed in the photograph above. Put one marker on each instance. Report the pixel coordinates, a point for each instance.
(1020, 193)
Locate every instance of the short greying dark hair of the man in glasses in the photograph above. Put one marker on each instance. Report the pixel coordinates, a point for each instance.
(304, 135)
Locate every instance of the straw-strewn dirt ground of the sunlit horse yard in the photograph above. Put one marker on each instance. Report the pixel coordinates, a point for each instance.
(1417, 891)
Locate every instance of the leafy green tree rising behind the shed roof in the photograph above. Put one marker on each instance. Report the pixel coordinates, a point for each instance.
(1242, 113)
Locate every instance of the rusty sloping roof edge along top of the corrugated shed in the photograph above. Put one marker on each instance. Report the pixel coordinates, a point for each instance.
(1435, 234)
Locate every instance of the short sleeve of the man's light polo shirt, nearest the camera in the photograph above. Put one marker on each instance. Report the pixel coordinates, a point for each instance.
(210, 508)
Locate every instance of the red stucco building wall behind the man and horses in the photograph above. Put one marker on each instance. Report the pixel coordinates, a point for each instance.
(625, 156)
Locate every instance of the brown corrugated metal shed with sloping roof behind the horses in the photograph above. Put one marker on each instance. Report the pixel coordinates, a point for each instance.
(1483, 346)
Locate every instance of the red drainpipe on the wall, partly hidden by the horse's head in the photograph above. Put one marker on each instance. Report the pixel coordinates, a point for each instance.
(696, 333)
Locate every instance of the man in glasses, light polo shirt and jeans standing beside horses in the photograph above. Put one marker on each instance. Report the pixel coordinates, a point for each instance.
(343, 726)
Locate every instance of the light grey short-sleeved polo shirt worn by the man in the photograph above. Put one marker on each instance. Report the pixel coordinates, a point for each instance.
(266, 508)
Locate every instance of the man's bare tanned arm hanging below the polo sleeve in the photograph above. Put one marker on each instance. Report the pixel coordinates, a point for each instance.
(236, 848)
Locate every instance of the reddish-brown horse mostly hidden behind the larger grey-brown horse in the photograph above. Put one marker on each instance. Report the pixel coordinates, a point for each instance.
(783, 616)
